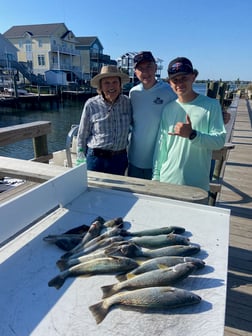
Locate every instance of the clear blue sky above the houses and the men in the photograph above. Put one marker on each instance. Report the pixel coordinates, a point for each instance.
(216, 35)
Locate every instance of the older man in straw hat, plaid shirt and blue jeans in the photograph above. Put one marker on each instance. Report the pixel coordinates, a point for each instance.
(105, 122)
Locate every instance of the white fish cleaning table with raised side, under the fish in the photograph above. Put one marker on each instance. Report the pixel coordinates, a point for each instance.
(29, 307)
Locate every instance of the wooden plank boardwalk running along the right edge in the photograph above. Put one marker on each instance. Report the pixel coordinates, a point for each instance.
(236, 194)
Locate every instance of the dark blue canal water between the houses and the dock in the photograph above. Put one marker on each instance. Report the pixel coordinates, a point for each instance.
(62, 117)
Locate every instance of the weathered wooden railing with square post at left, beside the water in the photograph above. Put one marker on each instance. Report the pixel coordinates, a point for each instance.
(37, 131)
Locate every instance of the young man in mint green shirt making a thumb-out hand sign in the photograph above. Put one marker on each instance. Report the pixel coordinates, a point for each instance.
(191, 128)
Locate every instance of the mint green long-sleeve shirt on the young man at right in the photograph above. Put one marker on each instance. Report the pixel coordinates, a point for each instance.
(178, 160)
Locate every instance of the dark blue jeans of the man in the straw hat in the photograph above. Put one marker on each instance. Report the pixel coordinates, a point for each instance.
(115, 164)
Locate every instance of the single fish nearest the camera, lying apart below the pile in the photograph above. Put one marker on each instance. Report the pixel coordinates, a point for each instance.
(159, 299)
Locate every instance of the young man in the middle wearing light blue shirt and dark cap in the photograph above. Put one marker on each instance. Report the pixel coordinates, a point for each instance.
(148, 99)
